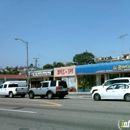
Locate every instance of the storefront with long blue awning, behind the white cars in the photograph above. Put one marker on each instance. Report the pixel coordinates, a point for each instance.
(105, 71)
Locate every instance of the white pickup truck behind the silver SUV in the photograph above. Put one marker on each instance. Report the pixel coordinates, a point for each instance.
(11, 89)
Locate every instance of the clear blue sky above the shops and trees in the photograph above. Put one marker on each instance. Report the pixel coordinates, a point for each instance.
(57, 30)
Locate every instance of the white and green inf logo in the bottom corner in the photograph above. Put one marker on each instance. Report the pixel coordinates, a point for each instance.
(123, 124)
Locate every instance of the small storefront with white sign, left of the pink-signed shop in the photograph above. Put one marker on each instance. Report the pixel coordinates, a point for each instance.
(40, 75)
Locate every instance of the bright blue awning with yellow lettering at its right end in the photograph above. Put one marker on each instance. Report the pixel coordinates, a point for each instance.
(103, 67)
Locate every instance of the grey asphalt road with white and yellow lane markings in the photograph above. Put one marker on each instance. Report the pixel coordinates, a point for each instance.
(75, 112)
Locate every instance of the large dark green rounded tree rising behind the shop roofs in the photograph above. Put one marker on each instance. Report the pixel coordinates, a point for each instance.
(84, 58)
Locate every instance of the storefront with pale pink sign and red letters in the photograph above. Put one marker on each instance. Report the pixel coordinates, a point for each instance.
(67, 74)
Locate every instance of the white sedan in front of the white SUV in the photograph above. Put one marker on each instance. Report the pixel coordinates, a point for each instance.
(119, 91)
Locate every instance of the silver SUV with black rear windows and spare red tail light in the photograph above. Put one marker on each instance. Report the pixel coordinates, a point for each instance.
(54, 88)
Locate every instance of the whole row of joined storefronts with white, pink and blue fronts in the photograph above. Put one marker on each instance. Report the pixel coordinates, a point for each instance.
(72, 74)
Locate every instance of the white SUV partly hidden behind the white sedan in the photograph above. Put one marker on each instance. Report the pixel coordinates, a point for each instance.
(109, 82)
